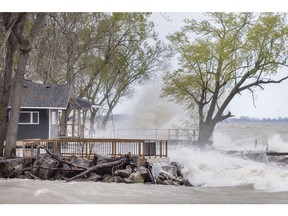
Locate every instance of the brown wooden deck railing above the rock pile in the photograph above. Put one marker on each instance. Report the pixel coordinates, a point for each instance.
(86, 148)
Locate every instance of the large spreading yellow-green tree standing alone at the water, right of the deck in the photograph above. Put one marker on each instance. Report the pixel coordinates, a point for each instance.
(231, 53)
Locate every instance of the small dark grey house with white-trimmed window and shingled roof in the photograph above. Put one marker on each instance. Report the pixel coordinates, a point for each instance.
(41, 108)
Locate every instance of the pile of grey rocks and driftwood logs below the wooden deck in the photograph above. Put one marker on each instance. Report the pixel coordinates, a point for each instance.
(126, 169)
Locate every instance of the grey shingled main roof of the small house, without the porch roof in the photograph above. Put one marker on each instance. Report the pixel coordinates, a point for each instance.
(37, 95)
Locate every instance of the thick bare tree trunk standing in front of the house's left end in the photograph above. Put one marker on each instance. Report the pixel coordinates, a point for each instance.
(24, 30)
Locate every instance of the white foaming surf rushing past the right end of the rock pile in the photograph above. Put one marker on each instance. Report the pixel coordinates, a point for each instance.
(213, 168)
